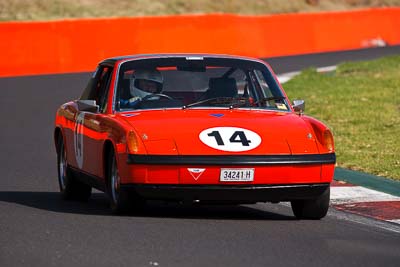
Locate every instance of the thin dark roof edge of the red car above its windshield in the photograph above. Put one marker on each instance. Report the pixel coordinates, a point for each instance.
(113, 60)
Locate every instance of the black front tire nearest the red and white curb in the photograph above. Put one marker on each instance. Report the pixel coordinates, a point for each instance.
(312, 209)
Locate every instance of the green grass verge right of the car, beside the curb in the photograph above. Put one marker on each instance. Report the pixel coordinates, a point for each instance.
(360, 102)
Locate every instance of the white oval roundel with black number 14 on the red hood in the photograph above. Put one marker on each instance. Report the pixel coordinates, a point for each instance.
(232, 139)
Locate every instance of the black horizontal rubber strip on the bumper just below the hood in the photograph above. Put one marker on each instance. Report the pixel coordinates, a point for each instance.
(232, 159)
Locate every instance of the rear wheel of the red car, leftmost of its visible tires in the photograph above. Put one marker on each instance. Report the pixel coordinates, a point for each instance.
(70, 187)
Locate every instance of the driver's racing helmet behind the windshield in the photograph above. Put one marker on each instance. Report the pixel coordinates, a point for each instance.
(146, 82)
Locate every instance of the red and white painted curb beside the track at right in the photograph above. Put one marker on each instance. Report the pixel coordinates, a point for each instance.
(365, 202)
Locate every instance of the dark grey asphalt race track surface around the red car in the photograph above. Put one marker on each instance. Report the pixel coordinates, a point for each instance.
(38, 229)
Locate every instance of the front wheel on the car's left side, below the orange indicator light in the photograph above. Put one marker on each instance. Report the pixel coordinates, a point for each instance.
(121, 200)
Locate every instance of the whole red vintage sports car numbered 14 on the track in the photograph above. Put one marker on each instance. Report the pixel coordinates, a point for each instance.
(192, 128)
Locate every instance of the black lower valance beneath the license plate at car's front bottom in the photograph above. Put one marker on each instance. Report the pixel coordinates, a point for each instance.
(228, 193)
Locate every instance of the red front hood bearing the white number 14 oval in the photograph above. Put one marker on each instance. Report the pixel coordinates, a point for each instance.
(222, 132)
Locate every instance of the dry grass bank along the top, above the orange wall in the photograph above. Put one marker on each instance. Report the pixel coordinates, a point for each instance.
(59, 9)
